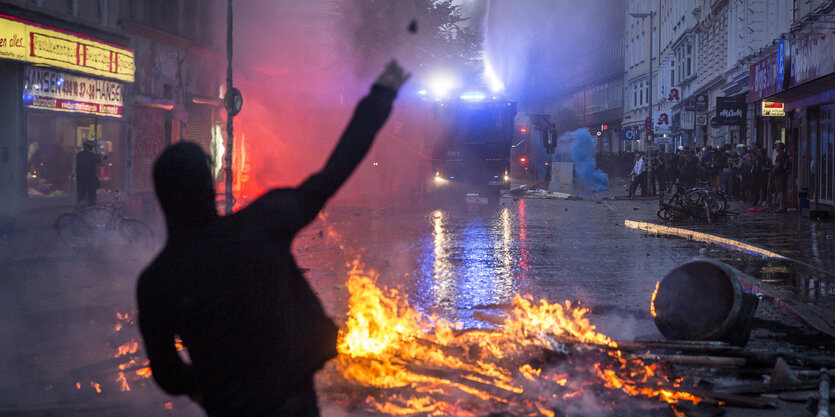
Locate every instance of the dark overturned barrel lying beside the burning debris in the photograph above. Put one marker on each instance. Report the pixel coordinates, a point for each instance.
(702, 300)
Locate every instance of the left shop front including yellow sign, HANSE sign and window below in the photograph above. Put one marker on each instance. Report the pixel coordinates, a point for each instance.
(64, 90)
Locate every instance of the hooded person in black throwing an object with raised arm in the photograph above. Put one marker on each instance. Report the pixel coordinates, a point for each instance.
(230, 288)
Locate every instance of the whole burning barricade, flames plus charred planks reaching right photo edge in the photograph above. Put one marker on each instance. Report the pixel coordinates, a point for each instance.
(545, 359)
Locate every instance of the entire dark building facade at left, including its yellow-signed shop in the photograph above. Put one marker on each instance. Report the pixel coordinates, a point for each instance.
(131, 76)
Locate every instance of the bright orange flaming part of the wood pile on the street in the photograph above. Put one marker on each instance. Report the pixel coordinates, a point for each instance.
(542, 359)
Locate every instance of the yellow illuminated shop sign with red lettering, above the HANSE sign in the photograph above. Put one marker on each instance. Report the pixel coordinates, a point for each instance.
(23, 41)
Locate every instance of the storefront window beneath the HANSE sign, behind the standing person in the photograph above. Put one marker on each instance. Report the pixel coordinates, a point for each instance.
(52, 143)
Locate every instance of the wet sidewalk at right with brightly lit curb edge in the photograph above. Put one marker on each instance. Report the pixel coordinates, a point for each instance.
(791, 258)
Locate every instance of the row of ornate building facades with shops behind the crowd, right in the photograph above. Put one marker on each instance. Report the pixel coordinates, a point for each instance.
(737, 72)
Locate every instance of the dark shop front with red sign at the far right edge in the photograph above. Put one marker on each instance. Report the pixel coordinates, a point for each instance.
(794, 94)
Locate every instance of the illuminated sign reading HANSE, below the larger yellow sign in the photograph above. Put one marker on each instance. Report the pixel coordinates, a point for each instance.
(44, 88)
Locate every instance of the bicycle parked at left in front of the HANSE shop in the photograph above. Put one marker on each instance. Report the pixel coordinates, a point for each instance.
(82, 227)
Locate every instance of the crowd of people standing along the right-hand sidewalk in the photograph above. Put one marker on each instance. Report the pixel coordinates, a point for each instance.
(743, 173)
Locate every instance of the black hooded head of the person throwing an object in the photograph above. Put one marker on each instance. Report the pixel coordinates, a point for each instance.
(183, 183)
